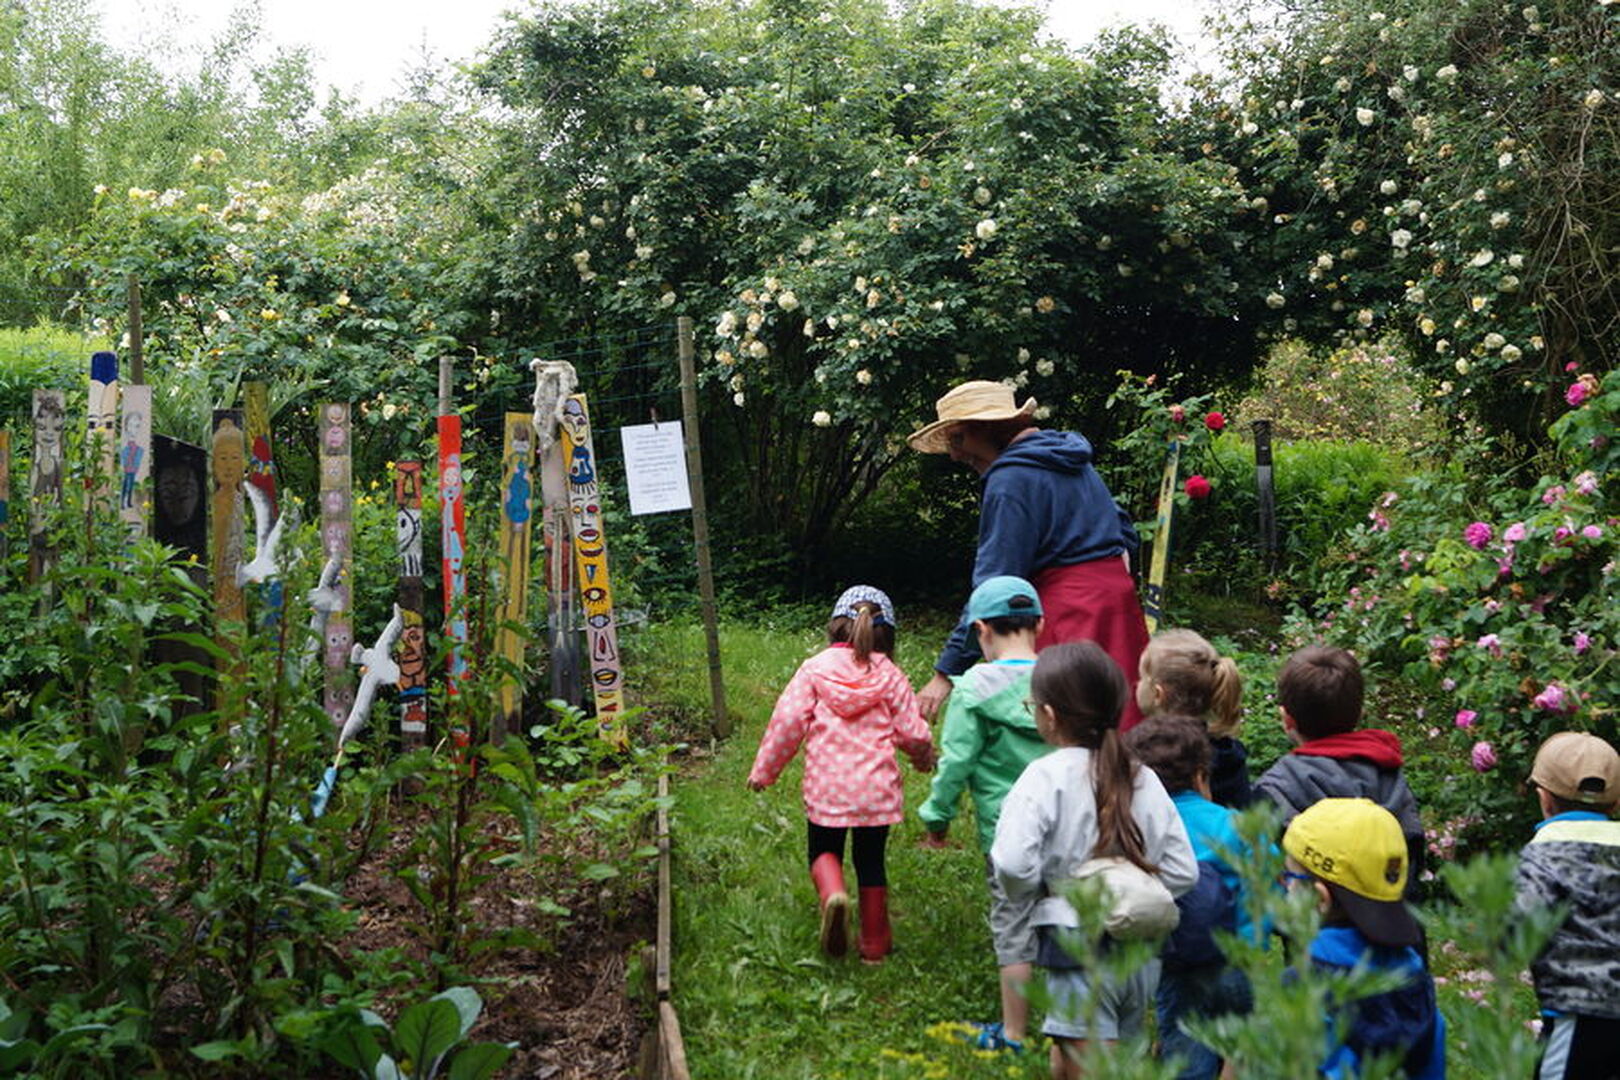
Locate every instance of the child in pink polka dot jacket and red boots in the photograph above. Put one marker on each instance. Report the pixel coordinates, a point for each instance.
(851, 707)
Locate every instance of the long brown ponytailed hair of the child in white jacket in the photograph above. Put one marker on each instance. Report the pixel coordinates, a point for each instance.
(1086, 692)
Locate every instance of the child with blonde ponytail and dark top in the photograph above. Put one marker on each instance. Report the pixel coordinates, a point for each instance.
(1183, 676)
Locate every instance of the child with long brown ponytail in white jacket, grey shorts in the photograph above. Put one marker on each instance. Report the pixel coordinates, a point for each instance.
(1081, 806)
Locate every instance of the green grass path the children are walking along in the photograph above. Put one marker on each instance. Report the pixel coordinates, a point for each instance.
(756, 995)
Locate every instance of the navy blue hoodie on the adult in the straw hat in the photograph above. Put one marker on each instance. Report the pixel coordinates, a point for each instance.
(1044, 506)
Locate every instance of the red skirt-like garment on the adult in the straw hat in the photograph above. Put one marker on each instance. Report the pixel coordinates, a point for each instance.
(1096, 602)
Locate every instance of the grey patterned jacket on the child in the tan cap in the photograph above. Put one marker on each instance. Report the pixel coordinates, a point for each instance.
(1575, 861)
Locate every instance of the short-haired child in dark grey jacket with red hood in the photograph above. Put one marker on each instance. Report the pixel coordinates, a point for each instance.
(1319, 692)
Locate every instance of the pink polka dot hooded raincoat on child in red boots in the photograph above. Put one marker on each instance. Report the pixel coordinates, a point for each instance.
(850, 718)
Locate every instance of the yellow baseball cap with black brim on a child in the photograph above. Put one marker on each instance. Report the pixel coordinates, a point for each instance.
(1357, 848)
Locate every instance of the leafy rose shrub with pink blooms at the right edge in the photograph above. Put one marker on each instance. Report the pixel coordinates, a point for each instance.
(1496, 597)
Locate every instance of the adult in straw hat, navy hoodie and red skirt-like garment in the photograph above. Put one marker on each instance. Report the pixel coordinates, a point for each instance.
(1047, 517)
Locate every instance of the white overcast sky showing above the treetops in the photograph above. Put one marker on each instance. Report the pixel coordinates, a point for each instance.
(364, 46)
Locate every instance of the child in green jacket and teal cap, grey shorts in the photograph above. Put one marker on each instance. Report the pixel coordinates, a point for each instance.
(987, 741)
